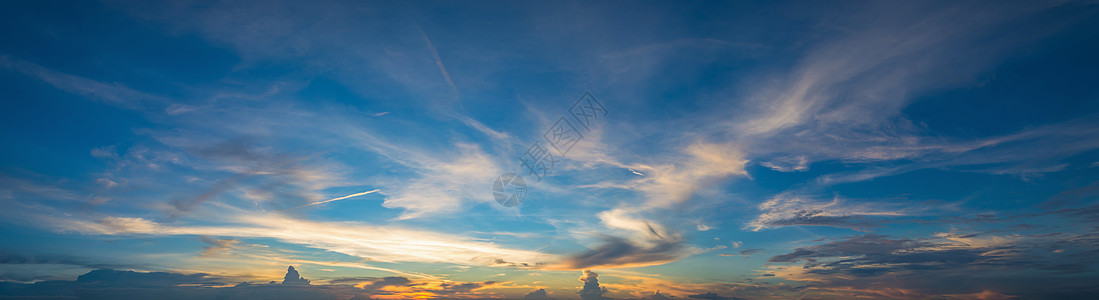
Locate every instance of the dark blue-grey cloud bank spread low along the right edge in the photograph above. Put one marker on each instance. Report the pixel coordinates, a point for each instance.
(1040, 268)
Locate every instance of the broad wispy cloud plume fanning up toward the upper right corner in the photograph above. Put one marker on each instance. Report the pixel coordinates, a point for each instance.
(854, 80)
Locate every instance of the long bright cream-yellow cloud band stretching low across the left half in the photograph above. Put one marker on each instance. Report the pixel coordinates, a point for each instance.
(369, 242)
